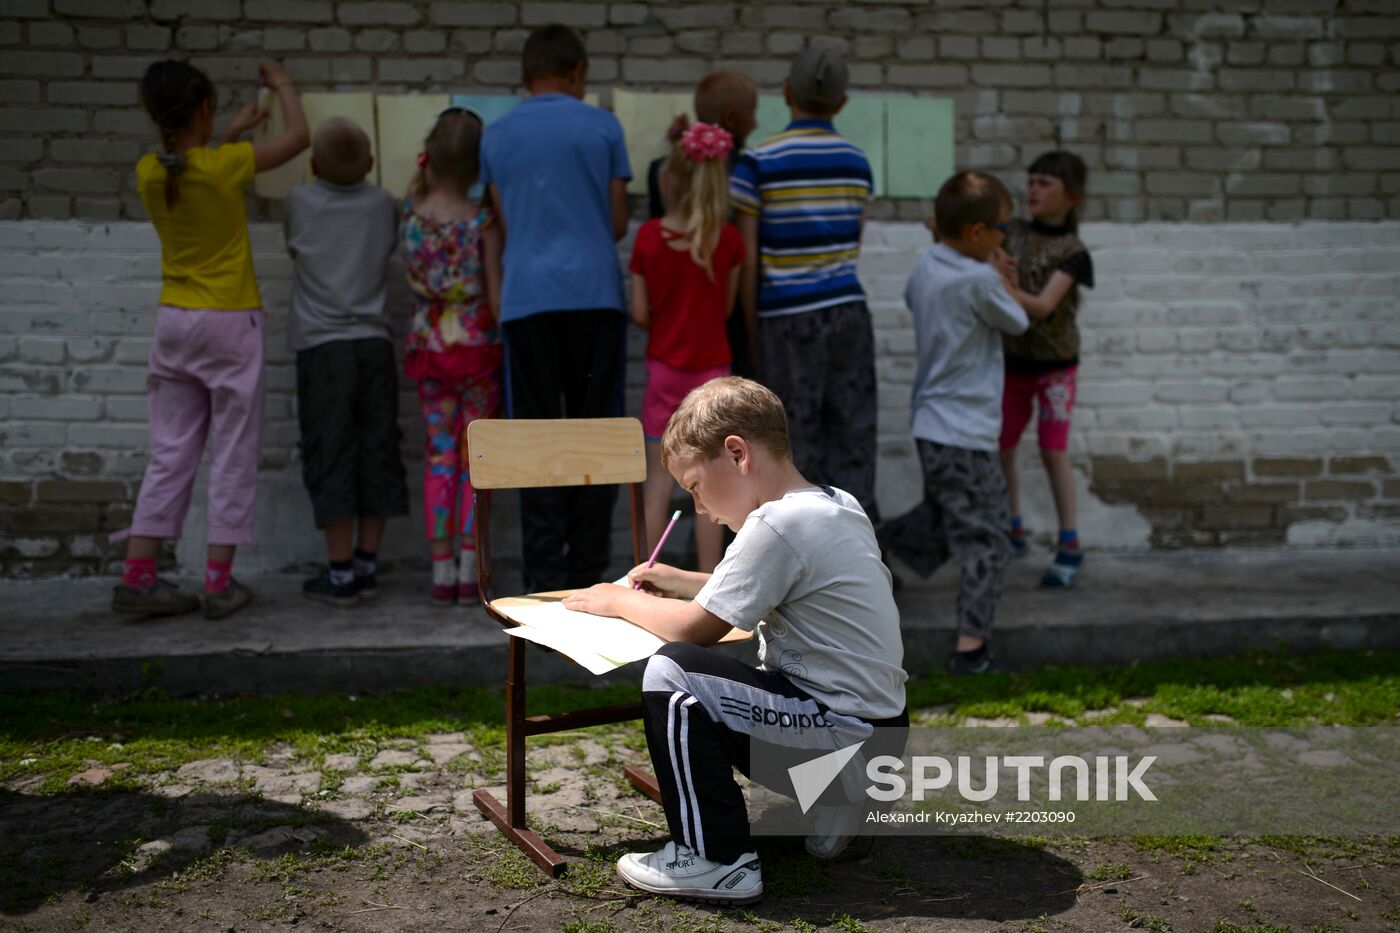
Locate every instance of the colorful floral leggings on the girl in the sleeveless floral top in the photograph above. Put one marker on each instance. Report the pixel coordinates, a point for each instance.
(447, 477)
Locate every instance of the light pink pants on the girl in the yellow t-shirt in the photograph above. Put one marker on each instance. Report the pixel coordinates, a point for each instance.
(206, 382)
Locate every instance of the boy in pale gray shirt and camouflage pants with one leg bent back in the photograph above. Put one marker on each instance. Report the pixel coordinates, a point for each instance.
(961, 310)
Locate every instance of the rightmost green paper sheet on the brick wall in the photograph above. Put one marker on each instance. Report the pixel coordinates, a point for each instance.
(919, 145)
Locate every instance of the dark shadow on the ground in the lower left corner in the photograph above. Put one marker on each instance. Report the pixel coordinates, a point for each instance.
(103, 843)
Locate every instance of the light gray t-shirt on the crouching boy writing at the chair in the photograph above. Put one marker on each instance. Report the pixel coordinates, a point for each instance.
(806, 572)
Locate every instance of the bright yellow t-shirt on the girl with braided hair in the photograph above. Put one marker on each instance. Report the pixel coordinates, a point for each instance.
(206, 257)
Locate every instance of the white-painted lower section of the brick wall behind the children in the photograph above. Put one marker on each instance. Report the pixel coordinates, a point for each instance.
(1241, 386)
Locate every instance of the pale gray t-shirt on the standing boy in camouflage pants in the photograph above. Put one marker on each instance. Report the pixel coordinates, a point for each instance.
(961, 310)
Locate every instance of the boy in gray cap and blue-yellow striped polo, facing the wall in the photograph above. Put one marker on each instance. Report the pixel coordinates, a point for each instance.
(801, 200)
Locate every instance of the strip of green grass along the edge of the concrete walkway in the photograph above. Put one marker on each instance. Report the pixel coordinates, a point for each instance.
(61, 735)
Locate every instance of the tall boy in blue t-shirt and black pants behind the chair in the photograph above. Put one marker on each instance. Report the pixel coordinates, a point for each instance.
(558, 176)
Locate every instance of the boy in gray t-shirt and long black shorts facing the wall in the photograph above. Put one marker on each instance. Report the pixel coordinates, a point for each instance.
(341, 235)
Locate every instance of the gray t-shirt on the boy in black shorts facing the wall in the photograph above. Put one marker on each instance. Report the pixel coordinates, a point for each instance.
(341, 239)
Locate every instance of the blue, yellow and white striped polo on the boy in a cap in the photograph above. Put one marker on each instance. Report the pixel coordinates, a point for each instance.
(808, 186)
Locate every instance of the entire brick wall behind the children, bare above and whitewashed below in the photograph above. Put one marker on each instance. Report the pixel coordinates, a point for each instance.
(1241, 382)
